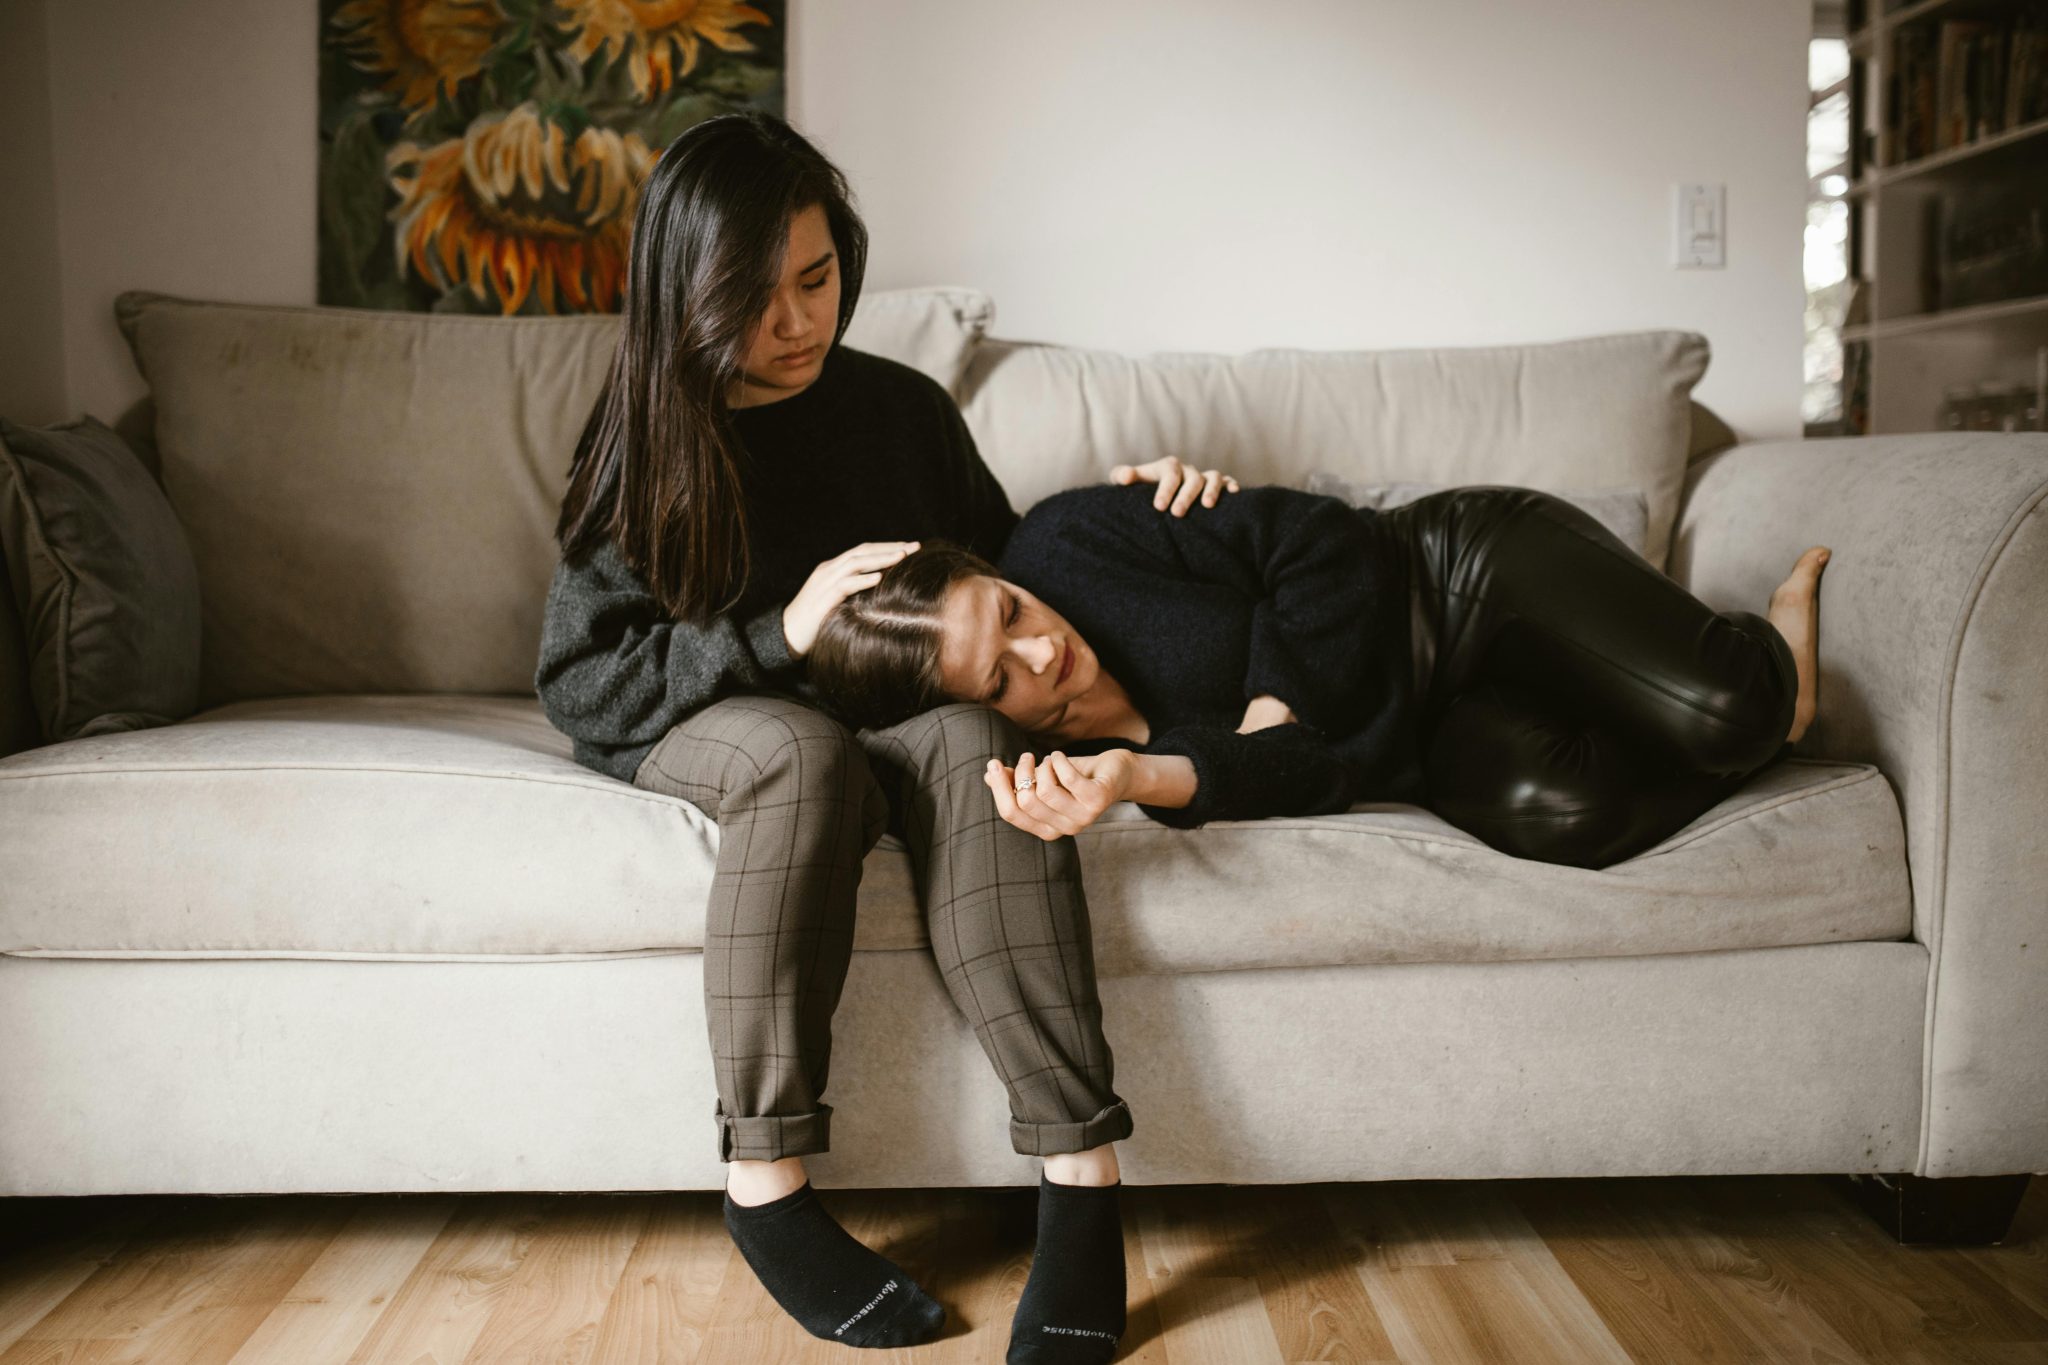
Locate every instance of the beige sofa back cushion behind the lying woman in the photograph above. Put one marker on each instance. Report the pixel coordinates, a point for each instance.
(1603, 412)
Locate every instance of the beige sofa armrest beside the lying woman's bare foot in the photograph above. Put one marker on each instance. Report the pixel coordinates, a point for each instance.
(1934, 666)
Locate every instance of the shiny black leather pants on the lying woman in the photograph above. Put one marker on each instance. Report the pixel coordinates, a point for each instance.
(1578, 705)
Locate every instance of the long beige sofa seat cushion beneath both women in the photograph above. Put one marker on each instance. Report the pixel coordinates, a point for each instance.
(462, 828)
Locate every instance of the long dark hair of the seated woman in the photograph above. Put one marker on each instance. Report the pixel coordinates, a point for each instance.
(658, 466)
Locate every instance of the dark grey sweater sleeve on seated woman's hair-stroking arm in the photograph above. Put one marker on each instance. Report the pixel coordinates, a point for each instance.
(617, 672)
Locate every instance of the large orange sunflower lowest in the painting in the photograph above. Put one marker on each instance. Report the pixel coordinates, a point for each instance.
(517, 208)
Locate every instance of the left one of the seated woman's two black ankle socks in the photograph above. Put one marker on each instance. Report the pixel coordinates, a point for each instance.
(826, 1280)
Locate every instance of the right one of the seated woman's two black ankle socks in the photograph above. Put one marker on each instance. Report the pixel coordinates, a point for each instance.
(1074, 1303)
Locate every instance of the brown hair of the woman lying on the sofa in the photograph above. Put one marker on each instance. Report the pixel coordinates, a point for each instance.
(876, 660)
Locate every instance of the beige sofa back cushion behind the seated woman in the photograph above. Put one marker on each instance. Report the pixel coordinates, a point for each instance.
(372, 496)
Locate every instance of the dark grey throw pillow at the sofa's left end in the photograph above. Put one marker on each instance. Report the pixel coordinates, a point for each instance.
(103, 582)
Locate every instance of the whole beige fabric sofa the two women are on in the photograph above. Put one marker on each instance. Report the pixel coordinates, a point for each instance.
(364, 926)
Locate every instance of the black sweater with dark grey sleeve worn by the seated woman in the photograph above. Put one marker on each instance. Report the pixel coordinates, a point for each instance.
(871, 451)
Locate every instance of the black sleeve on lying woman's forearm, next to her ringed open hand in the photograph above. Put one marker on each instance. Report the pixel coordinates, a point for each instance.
(1279, 770)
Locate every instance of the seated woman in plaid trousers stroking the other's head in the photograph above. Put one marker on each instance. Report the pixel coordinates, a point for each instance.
(734, 455)
